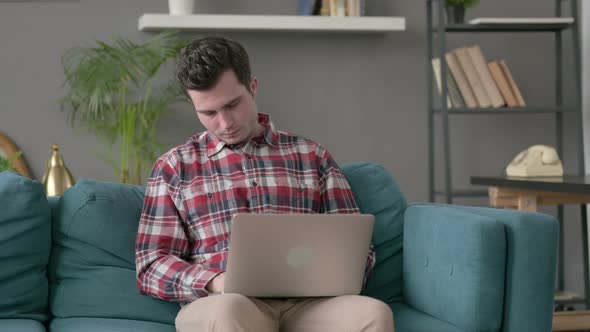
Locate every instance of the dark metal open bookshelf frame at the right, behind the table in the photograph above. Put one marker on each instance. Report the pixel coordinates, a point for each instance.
(438, 32)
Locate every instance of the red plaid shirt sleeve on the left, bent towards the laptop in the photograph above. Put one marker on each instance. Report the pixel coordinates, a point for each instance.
(162, 244)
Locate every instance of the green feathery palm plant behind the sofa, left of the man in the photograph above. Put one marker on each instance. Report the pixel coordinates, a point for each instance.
(111, 92)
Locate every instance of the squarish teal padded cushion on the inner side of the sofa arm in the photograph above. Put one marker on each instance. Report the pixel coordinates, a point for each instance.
(453, 266)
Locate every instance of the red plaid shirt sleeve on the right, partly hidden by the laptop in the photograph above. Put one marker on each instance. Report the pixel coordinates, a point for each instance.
(337, 197)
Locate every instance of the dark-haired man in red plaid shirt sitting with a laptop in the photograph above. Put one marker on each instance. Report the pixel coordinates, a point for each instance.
(240, 164)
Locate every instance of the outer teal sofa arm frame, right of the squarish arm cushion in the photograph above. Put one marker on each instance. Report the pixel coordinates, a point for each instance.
(531, 241)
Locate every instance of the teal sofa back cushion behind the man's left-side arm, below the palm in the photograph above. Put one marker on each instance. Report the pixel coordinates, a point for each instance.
(92, 268)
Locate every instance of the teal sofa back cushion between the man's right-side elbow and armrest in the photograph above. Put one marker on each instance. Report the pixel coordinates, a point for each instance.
(377, 193)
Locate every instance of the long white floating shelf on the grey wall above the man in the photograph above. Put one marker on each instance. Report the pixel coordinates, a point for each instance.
(364, 24)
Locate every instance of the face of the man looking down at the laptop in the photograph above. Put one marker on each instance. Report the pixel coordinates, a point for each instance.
(228, 110)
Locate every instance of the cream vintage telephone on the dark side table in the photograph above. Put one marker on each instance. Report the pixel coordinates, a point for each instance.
(537, 160)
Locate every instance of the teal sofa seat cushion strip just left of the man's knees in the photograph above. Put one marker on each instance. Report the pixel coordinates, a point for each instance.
(106, 324)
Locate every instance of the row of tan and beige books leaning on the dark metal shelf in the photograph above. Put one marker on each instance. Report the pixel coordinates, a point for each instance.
(474, 82)
